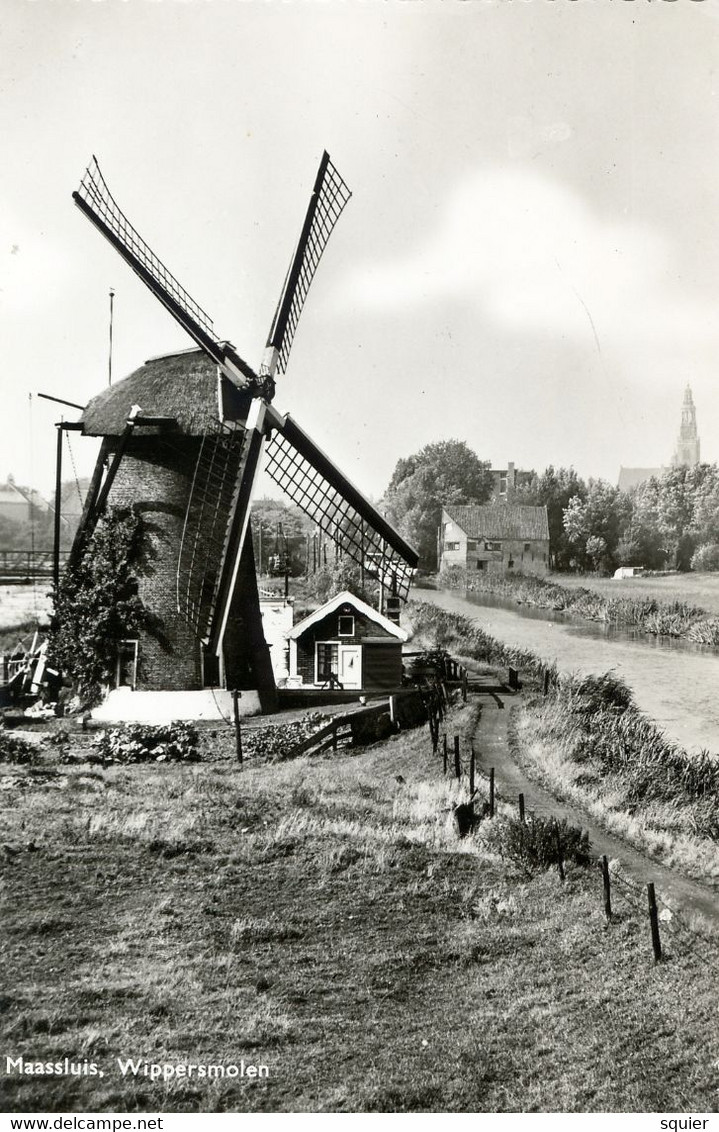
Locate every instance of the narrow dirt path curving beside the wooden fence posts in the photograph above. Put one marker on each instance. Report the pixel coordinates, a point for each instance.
(493, 750)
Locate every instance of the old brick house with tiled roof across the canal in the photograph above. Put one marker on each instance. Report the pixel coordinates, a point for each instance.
(497, 537)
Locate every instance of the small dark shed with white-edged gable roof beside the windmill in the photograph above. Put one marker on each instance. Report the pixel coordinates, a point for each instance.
(347, 645)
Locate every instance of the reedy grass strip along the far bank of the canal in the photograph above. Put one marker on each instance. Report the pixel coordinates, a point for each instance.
(638, 611)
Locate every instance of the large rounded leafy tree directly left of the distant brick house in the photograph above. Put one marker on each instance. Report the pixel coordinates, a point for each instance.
(440, 475)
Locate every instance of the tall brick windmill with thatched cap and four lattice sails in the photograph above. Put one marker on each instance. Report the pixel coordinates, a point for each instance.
(191, 431)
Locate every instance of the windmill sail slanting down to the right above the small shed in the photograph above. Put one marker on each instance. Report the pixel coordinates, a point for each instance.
(312, 482)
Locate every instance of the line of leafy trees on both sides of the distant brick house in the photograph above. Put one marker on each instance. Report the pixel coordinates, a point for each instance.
(667, 524)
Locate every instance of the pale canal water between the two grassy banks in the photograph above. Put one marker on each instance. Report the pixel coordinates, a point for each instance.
(674, 682)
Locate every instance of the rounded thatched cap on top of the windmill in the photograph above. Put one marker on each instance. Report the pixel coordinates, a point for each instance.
(182, 388)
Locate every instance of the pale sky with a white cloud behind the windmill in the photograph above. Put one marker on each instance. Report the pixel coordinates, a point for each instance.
(529, 262)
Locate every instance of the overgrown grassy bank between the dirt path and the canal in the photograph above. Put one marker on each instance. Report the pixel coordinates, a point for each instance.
(588, 743)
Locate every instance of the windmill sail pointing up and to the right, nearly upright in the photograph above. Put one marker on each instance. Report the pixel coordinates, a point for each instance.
(330, 196)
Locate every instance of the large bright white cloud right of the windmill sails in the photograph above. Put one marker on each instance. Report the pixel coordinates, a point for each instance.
(532, 256)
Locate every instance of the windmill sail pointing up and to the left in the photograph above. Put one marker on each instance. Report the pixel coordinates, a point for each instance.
(100, 207)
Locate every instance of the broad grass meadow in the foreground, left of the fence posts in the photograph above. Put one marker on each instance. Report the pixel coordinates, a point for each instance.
(322, 919)
